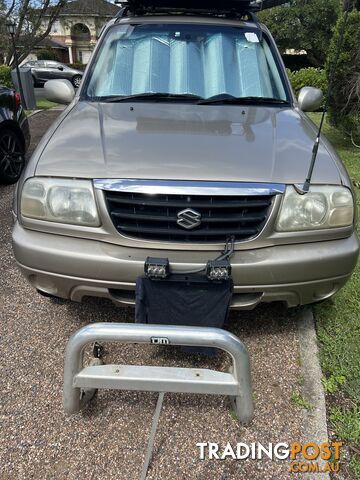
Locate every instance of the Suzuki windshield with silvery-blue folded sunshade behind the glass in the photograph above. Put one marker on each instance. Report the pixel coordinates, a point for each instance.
(200, 61)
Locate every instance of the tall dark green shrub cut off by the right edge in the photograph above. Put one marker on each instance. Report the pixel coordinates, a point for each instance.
(344, 106)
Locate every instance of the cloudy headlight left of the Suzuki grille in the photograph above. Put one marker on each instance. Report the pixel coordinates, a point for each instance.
(60, 200)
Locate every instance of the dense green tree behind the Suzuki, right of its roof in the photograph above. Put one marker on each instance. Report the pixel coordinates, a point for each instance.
(304, 25)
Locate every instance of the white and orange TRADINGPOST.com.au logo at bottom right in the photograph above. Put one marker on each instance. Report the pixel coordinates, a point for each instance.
(309, 457)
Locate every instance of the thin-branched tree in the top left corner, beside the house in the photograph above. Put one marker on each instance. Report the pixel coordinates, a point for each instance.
(33, 19)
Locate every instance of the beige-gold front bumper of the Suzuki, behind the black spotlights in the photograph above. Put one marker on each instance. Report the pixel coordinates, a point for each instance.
(74, 268)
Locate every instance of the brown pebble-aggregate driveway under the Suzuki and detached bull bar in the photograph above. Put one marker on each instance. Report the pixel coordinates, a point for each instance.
(109, 439)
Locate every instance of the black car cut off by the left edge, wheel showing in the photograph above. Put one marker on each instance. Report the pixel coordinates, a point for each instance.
(14, 136)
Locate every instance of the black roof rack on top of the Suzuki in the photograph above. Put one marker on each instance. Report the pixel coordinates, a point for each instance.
(223, 8)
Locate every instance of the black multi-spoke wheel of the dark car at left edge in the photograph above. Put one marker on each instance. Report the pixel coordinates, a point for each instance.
(12, 158)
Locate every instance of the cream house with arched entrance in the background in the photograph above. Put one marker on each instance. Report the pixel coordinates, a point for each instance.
(76, 30)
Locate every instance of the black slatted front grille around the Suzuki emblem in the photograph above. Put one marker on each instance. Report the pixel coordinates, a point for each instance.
(154, 217)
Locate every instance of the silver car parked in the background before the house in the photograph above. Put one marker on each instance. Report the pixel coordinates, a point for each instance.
(44, 70)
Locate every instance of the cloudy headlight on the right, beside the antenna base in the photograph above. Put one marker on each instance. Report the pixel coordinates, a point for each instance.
(322, 207)
